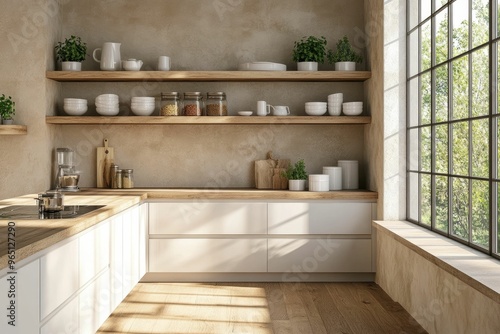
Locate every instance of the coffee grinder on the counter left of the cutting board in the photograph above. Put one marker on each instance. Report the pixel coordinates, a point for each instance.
(67, 178)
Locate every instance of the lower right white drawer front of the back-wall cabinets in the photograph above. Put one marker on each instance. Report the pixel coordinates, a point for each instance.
(319, 256)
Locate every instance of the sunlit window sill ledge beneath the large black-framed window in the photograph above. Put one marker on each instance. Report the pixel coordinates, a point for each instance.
(474, 268)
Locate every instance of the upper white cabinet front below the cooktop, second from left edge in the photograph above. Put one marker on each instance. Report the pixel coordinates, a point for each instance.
(59, 277)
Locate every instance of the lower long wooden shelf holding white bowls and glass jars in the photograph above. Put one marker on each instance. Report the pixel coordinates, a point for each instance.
(192, 120)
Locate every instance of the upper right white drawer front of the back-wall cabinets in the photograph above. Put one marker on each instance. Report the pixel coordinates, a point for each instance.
(320, 218)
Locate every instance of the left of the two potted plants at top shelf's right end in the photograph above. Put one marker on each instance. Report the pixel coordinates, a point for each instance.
(308, 52)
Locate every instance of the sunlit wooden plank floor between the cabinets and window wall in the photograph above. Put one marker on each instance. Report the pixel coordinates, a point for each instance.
(259, 308)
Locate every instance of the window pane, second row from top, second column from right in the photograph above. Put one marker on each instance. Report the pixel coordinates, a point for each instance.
(480, 82)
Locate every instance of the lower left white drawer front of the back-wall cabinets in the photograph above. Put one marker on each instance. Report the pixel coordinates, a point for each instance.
(208, 255)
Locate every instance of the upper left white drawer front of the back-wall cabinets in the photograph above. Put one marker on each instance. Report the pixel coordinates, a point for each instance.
(208, 218)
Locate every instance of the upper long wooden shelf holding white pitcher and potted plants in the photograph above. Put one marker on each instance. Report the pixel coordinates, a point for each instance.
(185, 76)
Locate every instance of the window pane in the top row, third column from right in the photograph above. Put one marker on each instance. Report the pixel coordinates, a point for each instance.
(460, 27)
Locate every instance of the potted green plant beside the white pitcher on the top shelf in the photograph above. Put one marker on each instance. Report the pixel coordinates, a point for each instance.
(71, 53)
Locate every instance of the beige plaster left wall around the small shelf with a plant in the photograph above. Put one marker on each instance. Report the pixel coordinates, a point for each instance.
(27, 33)
